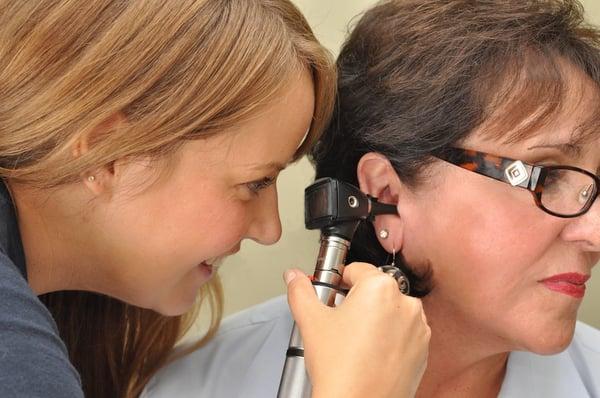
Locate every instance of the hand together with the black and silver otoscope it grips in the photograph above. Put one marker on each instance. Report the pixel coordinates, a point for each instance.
(374, 343)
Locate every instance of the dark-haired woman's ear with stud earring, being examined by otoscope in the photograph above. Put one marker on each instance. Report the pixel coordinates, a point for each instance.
(377, 177)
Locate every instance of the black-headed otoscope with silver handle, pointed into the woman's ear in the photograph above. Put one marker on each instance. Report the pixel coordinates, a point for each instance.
(336, 208)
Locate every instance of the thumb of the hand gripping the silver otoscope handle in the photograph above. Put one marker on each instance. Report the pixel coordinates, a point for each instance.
(302, 297)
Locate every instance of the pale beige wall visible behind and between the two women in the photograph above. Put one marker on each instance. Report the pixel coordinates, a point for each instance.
(254, 275)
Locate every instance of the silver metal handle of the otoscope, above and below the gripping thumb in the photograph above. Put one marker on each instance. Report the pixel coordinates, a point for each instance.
(327, 278)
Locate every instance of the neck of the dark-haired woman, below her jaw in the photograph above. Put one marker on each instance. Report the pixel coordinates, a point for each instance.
(460, 363)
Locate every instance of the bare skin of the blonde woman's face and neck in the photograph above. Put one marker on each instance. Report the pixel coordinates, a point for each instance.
(127, 237)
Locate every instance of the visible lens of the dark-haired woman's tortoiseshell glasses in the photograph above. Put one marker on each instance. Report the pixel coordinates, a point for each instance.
(567, 192)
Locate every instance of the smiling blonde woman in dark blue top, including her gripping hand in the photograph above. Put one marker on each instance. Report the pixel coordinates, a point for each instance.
(140, 142)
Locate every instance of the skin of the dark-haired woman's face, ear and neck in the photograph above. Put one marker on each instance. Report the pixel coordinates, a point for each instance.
(489, 247)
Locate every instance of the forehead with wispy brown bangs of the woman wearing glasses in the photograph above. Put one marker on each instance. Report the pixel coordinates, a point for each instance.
(556, 101)
